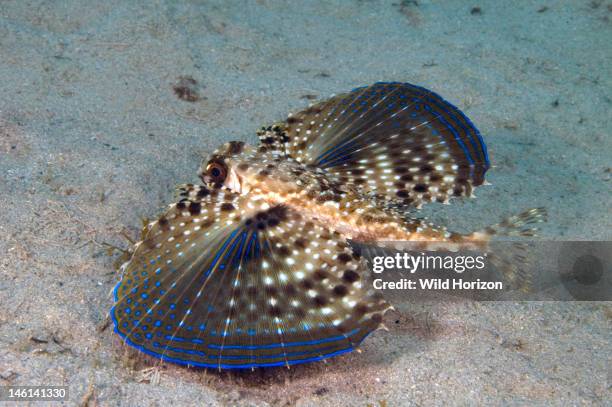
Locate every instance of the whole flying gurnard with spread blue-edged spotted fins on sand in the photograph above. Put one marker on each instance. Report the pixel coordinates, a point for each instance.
(255, 267)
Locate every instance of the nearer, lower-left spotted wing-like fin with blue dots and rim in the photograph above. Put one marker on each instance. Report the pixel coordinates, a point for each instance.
(223, 281)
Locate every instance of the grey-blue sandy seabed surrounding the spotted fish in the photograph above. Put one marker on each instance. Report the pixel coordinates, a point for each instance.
(106, 106)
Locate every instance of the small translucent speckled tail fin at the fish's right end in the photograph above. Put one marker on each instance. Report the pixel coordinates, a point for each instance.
(514, 260)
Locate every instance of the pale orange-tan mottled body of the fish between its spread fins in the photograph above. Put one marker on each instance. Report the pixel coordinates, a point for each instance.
(272, 179)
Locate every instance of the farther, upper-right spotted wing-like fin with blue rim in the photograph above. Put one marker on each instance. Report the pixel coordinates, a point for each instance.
(397, 141)
